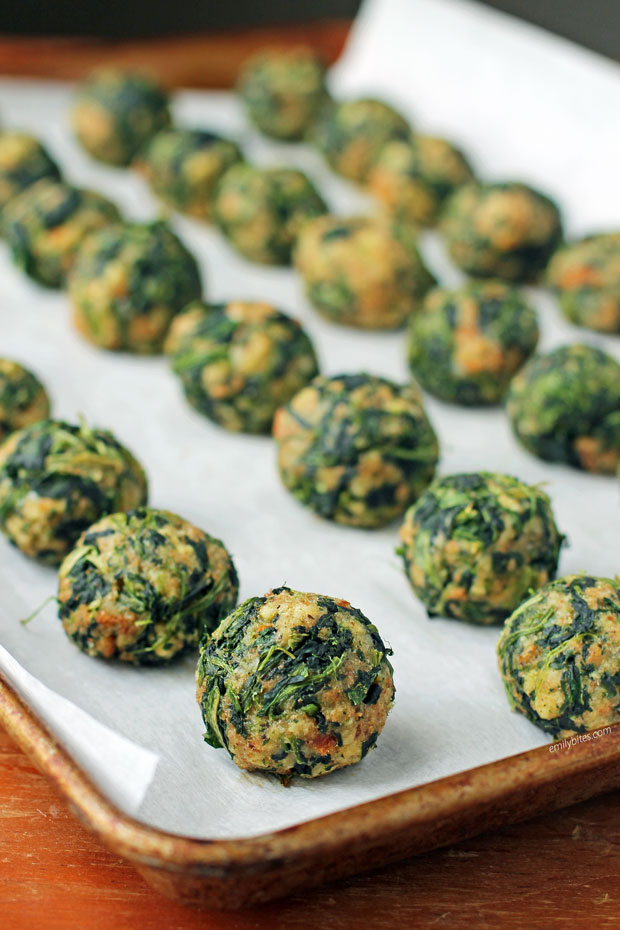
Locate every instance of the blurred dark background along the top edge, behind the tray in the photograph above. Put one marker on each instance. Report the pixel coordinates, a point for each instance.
(593, 23)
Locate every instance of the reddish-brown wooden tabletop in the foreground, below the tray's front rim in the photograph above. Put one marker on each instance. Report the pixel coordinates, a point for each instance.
(562, 870)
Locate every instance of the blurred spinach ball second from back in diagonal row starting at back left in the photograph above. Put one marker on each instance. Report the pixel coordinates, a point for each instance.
(183, 167)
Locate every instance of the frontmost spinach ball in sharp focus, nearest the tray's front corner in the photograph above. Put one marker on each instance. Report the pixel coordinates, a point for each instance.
(294, 684)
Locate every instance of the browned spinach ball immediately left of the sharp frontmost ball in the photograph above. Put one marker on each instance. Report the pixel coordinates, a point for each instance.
(144, 586)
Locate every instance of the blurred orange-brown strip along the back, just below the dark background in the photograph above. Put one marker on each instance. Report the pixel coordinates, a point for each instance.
(210, 60)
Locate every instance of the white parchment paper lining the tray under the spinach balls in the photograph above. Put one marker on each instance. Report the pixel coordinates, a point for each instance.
(453, 65)
